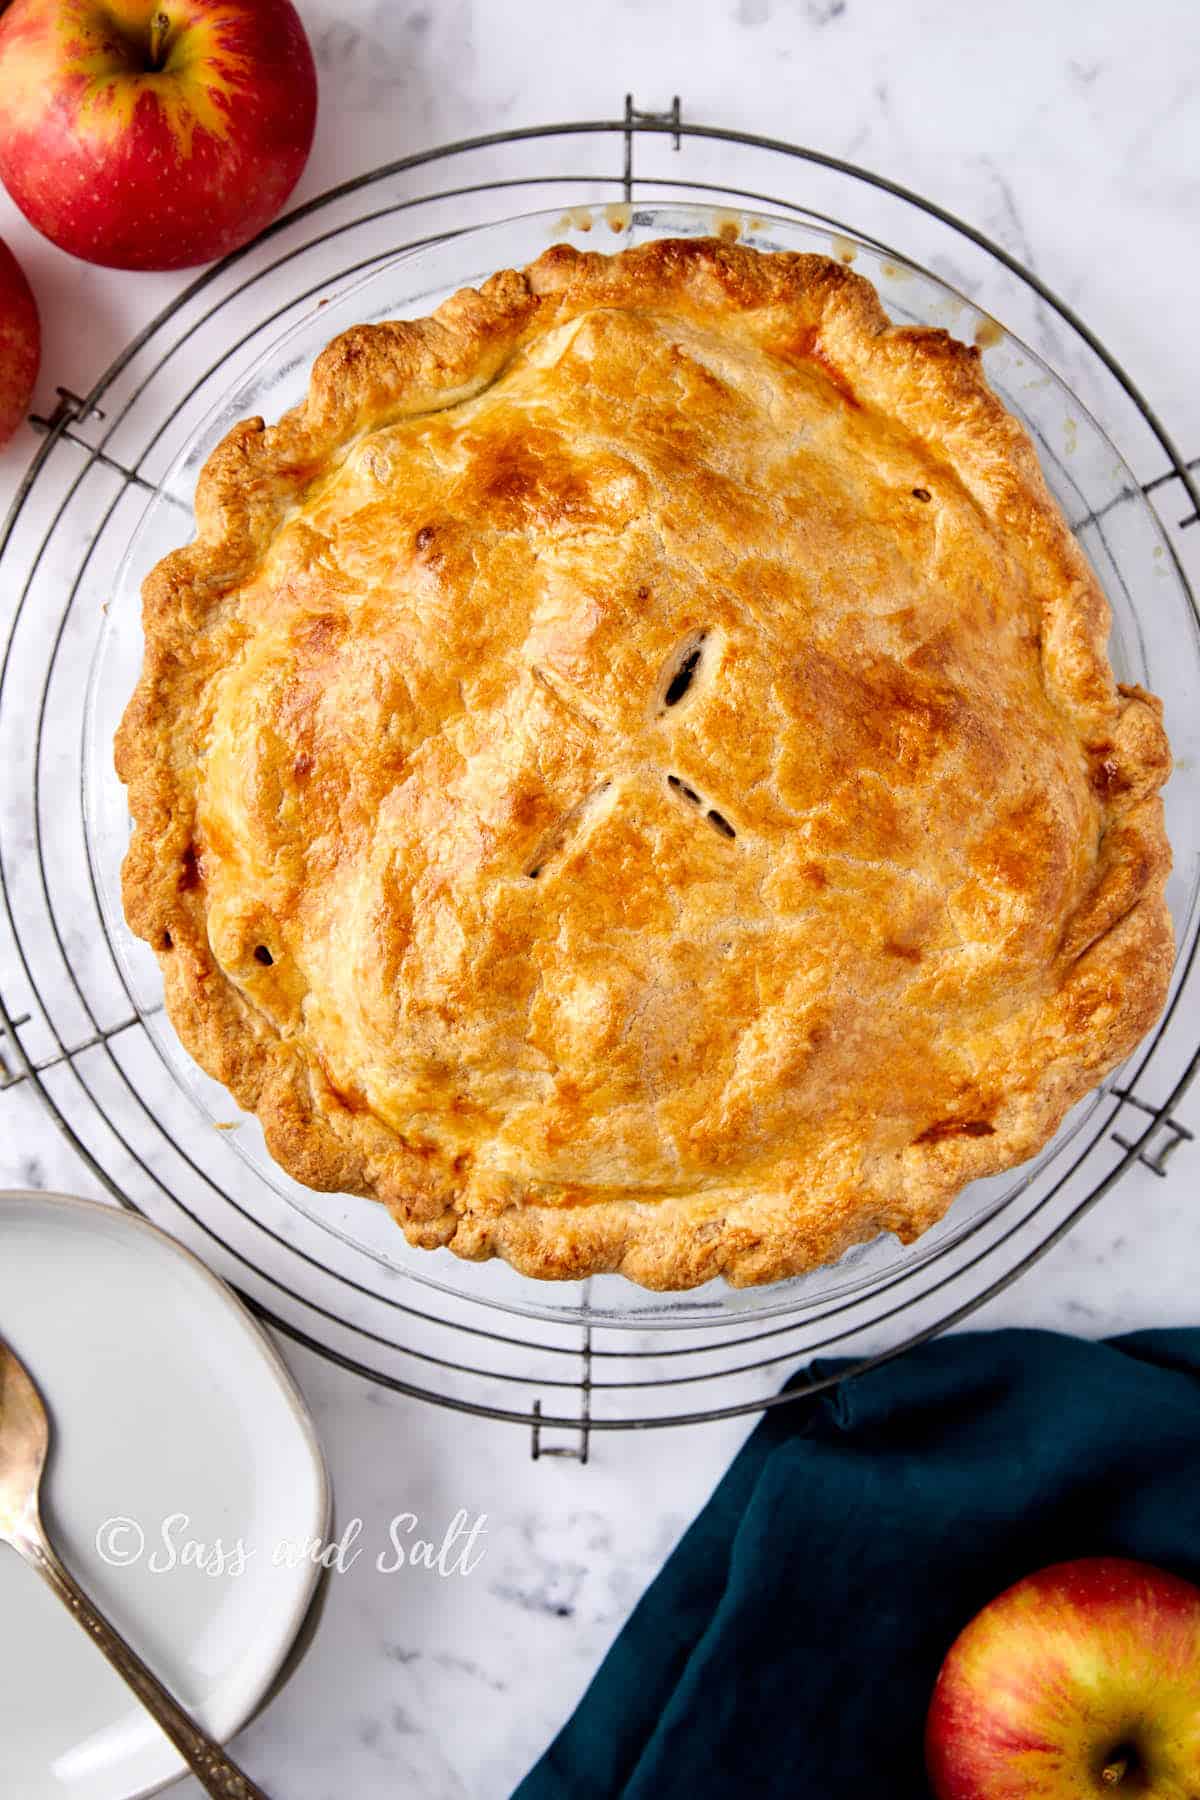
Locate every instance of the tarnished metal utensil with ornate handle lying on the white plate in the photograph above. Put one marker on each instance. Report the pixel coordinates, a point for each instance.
(24, 1444)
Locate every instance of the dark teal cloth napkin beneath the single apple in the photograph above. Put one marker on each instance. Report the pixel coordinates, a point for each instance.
(791, 1644)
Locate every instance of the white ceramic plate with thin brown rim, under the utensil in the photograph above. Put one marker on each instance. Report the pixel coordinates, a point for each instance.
(165, 1399)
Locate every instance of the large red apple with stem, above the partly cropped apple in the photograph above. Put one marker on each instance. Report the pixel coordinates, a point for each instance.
(154, 134)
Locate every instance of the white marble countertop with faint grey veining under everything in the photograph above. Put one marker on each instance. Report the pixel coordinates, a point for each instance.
(1075, 139)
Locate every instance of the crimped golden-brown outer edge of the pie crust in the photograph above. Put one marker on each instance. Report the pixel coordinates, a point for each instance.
(1115, 960)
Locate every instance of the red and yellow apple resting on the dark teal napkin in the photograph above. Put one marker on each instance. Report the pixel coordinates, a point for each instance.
(1080, 1680)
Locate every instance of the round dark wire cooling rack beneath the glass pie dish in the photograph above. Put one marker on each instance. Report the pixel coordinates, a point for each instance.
(76, 1034)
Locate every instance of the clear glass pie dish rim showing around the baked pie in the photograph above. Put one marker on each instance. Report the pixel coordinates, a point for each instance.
(1154, 642)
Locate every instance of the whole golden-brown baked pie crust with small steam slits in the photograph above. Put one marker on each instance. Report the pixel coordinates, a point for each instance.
(631, 777)
